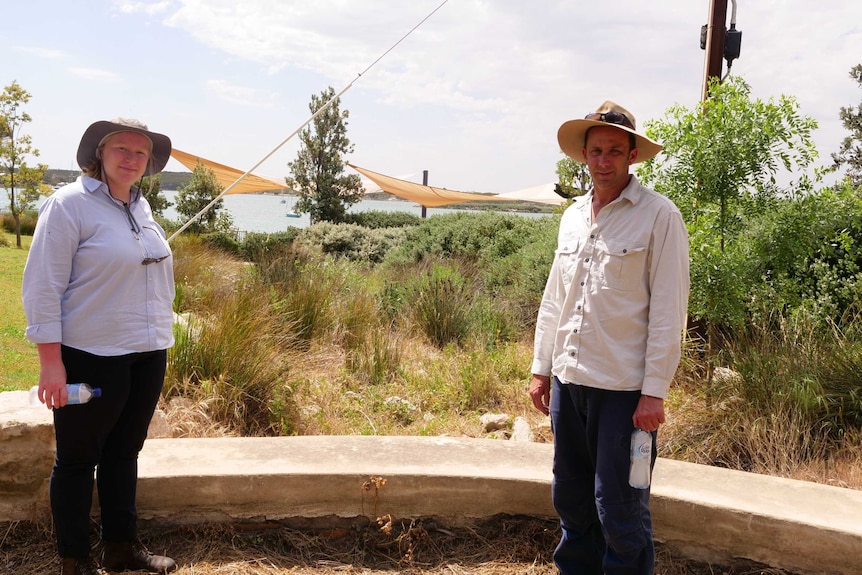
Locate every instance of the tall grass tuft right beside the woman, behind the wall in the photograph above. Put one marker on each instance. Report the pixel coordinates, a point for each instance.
(229, 349)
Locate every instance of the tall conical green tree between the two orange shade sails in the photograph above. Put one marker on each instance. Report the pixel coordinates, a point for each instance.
(325, 192)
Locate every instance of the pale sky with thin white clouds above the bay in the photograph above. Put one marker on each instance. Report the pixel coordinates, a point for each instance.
(474, 94)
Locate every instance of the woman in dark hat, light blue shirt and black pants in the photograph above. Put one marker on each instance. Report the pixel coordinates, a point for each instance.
(98, 292)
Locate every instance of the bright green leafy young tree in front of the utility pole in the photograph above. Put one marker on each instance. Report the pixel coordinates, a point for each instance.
(720, 166)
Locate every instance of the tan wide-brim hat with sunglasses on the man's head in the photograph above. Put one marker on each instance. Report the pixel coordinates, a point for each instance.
(572, 134)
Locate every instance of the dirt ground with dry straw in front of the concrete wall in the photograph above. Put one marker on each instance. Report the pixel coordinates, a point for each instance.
(502, 546)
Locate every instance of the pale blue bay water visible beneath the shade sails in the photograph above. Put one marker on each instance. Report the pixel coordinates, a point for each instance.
(268, 213)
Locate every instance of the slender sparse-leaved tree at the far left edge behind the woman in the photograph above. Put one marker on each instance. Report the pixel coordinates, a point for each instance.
(23, 183)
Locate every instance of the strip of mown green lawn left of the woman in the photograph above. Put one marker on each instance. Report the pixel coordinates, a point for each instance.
(19, 362)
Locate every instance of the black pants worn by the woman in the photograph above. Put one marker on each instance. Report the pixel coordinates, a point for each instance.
(105, 436)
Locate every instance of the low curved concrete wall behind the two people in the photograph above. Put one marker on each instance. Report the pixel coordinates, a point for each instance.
(702, 512)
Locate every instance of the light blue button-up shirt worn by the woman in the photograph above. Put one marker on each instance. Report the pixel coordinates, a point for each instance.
(85, 285)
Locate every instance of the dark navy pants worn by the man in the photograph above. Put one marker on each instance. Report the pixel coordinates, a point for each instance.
(606, 524)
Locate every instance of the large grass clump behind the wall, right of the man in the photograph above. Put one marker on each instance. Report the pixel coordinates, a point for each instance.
(789, 396)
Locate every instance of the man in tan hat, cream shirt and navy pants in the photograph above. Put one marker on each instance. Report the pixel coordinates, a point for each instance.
(608, 341)
